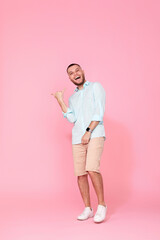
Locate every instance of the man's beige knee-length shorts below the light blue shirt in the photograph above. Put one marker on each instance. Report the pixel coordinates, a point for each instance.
(86, 157)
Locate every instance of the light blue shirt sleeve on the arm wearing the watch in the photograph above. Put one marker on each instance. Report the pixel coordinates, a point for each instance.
(99, 102)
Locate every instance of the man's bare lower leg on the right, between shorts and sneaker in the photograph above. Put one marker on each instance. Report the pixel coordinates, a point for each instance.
(97, 182)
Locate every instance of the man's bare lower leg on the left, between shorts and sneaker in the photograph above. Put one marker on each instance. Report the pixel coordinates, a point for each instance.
(84, 189)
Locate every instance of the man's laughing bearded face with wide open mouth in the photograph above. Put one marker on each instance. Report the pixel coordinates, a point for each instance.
(76, 75)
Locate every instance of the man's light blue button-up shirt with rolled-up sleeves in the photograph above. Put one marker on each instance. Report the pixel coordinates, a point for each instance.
(86, 105)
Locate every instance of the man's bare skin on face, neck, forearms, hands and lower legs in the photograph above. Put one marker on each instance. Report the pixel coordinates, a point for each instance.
(96, 178)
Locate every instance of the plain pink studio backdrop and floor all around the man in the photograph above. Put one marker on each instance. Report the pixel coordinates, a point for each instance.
(117, 44)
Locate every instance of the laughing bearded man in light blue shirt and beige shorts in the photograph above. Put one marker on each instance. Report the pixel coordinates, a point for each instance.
(85, 111)
